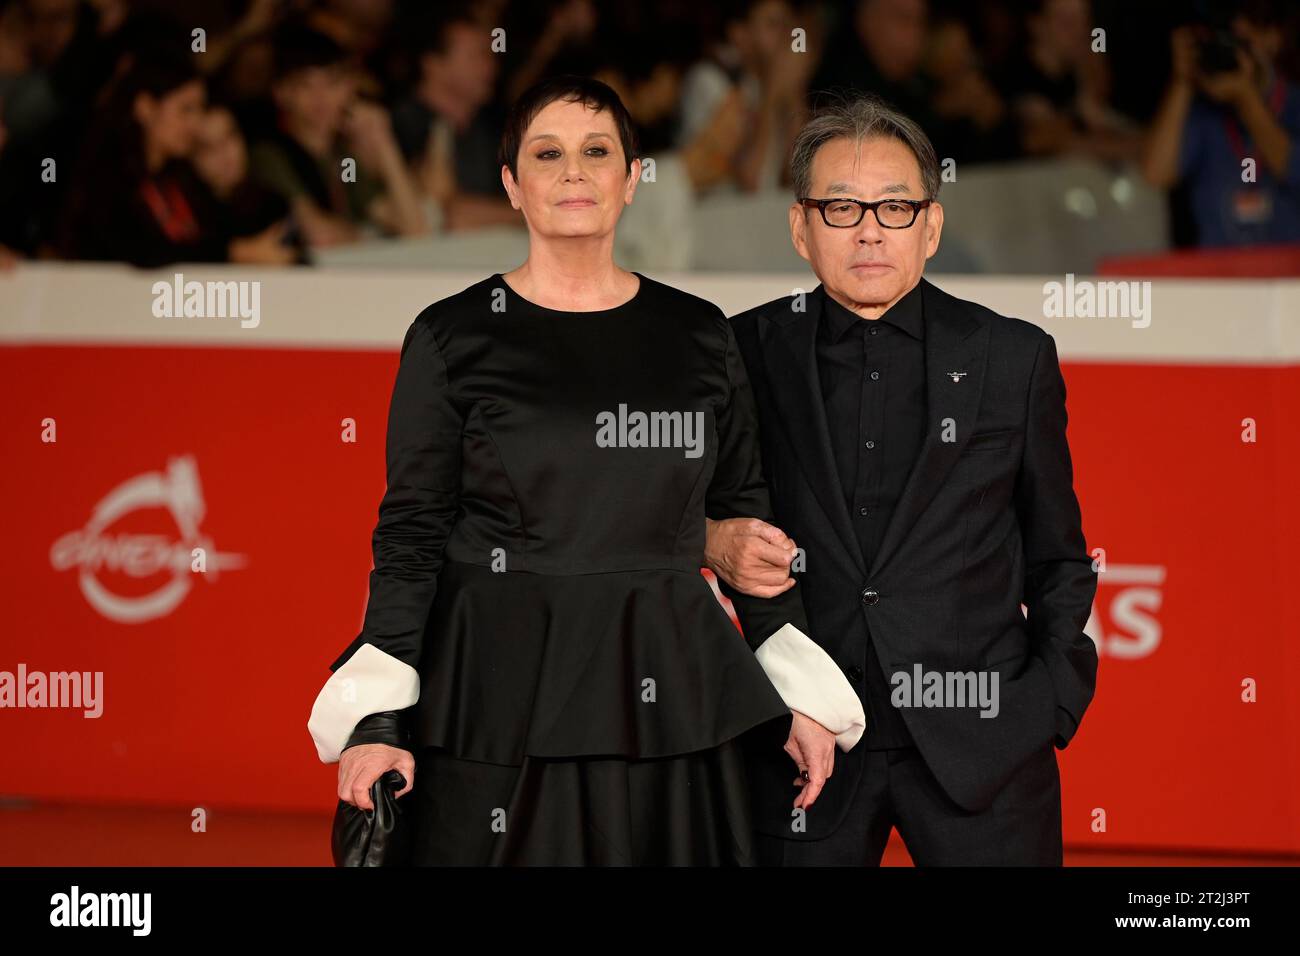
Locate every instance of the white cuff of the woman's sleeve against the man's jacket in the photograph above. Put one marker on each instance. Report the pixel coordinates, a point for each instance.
(812, 684)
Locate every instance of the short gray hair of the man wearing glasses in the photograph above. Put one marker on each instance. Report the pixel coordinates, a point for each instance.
(861, 118)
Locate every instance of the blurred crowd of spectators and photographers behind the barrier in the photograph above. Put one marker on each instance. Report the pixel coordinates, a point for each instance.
(261, 131)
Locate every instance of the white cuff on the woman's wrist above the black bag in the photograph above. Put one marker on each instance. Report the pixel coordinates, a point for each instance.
(369, 684)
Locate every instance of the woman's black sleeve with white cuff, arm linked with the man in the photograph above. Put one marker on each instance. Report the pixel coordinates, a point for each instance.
(777, 629)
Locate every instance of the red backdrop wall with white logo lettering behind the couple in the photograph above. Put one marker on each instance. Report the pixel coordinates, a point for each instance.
(207, 704)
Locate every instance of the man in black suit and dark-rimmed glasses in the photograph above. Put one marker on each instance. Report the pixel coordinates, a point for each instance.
(915, 445)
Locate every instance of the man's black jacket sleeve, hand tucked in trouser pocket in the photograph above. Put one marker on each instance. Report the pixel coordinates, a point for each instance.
(1060, 582)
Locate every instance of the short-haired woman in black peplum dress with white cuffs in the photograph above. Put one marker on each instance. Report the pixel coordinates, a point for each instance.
(539, 643)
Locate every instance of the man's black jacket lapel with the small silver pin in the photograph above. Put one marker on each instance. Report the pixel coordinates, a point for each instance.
(955, 343)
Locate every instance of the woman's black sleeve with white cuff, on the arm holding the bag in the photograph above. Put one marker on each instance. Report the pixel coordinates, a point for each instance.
(378, 672)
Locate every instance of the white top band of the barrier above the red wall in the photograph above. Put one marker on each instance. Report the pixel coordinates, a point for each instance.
(1168, 321)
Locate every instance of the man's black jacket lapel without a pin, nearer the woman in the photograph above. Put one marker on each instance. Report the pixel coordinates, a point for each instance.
(790, 354)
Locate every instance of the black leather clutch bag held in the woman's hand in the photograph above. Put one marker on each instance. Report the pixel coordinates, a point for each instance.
(380, 837)
